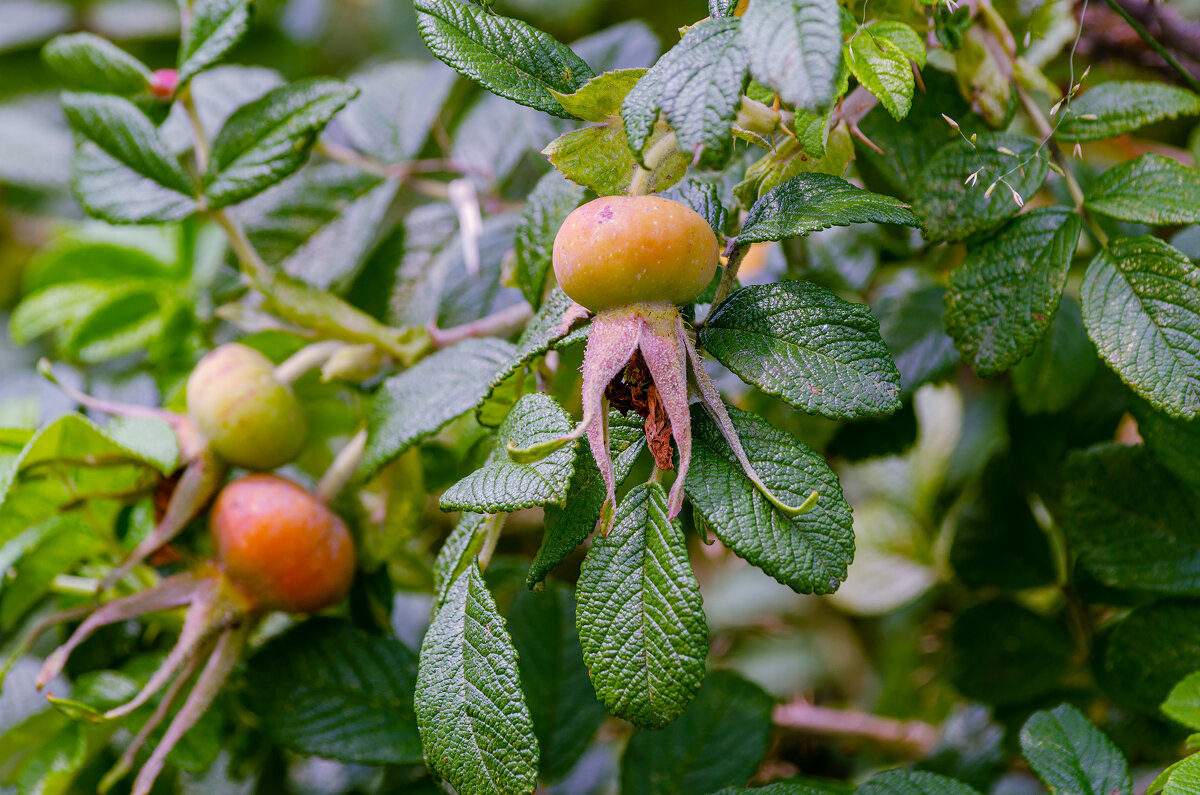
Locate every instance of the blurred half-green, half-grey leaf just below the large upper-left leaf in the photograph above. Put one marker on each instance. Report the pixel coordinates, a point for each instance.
(322, 225)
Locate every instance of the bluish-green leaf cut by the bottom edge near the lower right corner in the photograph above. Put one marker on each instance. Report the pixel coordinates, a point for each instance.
(1072, 756)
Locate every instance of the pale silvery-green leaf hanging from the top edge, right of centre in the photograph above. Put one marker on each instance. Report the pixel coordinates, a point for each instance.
(795, 49)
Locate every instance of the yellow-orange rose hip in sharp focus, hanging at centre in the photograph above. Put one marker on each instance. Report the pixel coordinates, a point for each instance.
(622, 250)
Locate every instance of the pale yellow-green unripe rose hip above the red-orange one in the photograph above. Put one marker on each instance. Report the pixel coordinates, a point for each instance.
(247, 414)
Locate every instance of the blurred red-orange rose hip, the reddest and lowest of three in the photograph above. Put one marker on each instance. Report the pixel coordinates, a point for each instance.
(280, 546)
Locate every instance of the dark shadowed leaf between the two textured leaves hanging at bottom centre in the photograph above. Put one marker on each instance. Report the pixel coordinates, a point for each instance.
(566, 713)
